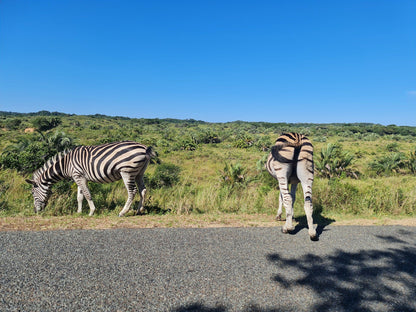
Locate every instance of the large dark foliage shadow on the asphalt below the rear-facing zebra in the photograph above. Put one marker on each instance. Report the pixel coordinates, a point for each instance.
(367, 280)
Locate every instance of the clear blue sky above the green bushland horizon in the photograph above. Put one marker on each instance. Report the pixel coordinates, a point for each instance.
(276, 61)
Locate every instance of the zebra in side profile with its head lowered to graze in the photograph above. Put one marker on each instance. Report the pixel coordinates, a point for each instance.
(103, 164)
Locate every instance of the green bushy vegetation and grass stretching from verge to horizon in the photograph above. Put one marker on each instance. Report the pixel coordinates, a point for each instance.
(361, 169)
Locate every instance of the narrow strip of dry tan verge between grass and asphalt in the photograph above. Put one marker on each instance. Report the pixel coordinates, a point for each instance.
(42, 223)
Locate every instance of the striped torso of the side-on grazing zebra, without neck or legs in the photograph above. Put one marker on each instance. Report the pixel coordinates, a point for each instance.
(104, 163)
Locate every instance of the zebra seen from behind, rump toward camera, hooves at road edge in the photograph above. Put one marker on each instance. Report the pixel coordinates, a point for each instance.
(290, 162)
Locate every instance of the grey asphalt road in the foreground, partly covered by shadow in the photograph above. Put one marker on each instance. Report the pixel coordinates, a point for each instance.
(350, 268)
